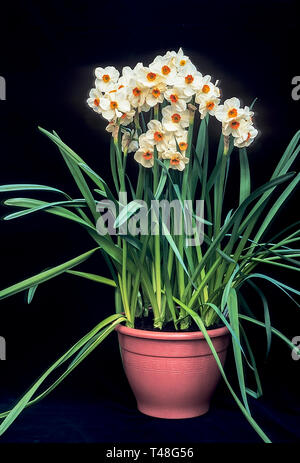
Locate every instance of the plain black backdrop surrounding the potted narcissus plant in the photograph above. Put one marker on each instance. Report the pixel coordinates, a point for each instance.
(48, 56)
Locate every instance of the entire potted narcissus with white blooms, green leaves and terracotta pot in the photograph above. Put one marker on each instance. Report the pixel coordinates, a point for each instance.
(178, 260)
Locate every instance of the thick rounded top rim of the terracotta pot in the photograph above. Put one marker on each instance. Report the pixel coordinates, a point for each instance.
(171, 336)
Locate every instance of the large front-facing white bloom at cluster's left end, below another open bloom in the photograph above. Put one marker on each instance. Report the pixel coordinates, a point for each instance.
(114, 104)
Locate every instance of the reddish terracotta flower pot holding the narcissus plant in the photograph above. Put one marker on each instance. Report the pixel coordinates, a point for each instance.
(172, 375)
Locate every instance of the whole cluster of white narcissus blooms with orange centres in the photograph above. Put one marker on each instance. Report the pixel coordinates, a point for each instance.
(171, 89)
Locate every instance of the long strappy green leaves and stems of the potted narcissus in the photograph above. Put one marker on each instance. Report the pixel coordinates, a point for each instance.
(181, 283)
